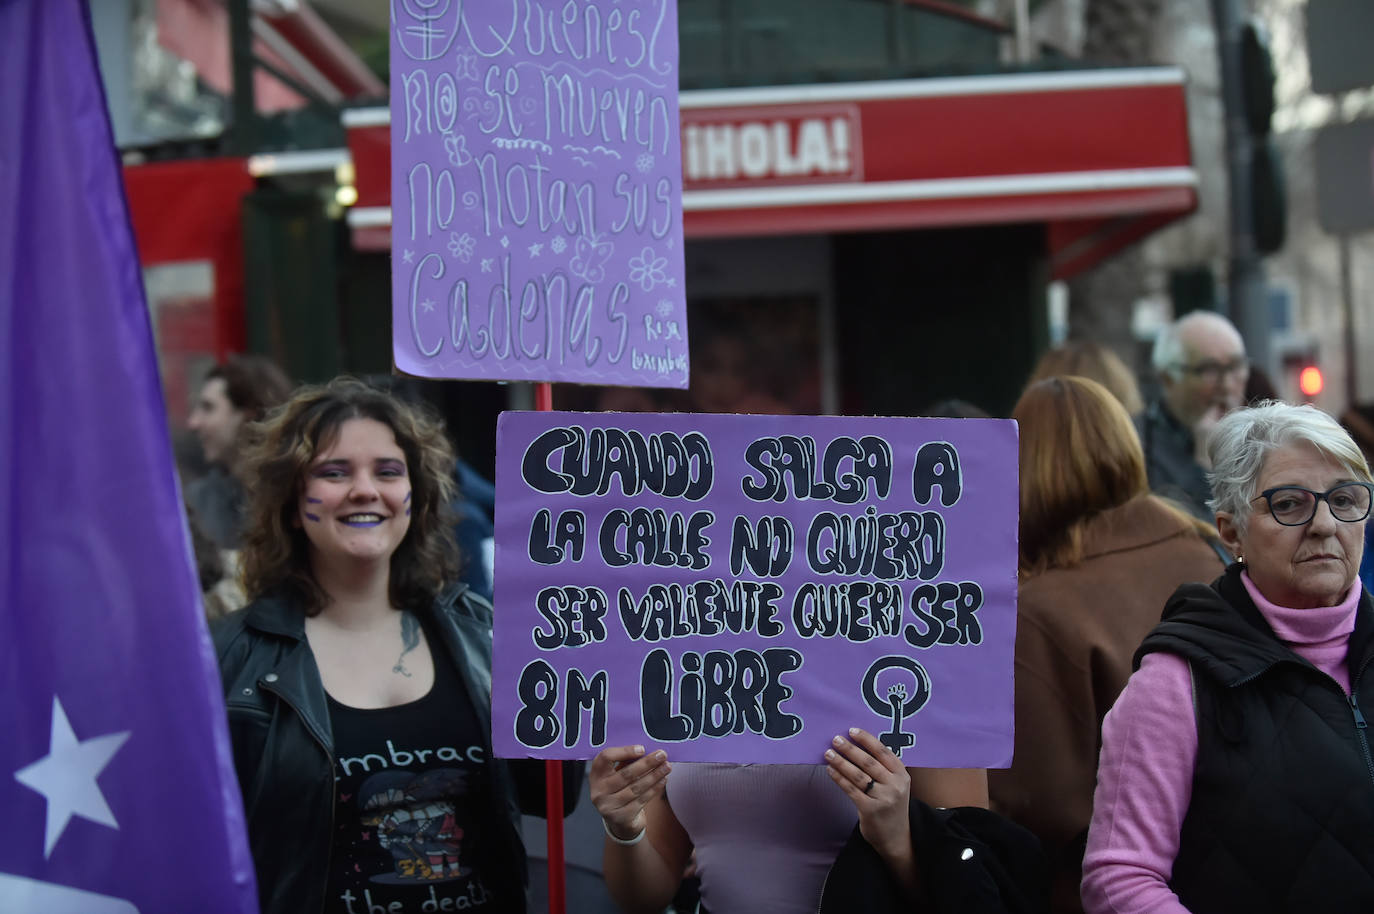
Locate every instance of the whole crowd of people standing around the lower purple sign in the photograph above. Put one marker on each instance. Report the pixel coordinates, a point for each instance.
(1192, 649)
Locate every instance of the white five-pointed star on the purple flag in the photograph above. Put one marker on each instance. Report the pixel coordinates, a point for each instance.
(67, 777)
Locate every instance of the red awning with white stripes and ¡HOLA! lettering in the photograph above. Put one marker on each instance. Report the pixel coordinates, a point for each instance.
(1100, 156)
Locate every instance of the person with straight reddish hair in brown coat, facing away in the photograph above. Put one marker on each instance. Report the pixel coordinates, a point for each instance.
(1100, 557)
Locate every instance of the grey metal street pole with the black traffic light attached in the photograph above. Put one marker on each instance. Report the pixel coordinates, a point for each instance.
(1247, 298)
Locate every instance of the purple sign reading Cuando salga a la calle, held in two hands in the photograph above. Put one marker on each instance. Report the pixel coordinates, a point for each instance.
(741, 589)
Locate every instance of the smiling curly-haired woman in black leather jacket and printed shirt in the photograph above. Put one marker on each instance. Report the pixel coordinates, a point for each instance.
(358, 681)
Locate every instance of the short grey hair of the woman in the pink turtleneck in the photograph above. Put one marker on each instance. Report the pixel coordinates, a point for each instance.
(1244, 441)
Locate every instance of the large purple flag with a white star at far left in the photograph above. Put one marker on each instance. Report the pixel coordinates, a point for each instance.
(115, 766)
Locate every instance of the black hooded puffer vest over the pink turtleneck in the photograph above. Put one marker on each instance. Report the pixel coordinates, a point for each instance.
(1283, 810)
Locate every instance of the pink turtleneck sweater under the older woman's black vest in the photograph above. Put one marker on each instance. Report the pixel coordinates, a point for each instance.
(1149, 750)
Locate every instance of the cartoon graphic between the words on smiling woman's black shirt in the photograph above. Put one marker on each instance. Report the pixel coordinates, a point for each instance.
(414, 817)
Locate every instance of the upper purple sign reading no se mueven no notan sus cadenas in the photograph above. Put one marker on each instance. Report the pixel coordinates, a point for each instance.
(537, 192)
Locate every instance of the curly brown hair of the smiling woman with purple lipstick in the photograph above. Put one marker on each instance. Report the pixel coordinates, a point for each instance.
(281, 449)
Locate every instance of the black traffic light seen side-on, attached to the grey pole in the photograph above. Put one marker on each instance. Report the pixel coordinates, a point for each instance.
(1269, 197)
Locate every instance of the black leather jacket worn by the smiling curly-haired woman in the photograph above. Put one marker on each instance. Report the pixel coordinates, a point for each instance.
(280, 726)
